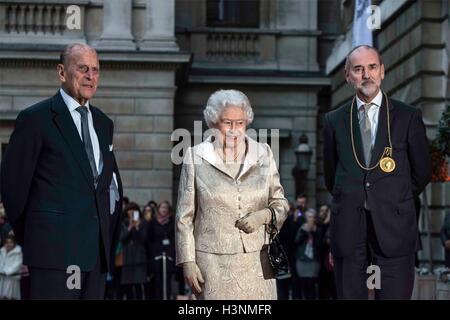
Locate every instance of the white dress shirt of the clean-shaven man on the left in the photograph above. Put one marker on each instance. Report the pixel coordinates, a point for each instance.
(72, 104)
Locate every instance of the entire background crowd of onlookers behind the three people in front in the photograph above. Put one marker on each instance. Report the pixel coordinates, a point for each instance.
(147, 243)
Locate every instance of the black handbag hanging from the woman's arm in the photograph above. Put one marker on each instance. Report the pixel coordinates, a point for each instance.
(277, 256)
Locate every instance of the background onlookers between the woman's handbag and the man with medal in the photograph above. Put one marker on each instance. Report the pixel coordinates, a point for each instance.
(305, 237)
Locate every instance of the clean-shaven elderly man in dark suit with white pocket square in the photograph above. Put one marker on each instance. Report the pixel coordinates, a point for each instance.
(61, 187)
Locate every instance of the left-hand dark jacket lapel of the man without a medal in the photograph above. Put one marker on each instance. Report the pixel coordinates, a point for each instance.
(66, 126)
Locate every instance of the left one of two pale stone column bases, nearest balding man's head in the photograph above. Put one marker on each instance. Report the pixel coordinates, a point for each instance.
(117, 26)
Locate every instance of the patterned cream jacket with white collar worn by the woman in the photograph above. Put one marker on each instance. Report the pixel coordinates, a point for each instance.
(210, 201)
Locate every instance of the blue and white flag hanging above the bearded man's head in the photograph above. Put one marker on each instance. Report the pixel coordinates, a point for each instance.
(362, 30)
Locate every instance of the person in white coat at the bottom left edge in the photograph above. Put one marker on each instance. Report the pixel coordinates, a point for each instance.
(10, 266)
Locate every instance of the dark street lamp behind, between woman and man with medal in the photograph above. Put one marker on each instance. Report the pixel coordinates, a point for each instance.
(303, 155)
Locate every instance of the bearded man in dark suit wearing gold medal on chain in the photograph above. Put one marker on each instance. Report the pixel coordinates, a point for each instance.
(376, 162)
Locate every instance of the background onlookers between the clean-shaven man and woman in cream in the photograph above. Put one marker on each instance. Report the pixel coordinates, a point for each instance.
(145, 256)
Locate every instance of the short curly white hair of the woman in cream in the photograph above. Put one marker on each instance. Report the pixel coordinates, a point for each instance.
(221, 99)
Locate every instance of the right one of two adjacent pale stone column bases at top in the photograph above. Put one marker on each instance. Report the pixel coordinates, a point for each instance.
(159, 26)
